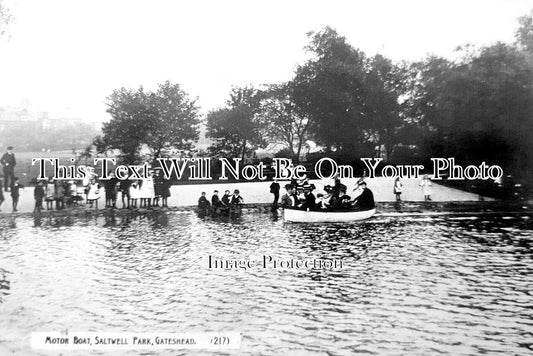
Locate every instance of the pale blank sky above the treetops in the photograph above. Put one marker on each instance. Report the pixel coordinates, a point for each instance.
(66, 56)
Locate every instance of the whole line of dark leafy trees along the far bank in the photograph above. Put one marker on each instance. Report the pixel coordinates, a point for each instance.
(478, 107)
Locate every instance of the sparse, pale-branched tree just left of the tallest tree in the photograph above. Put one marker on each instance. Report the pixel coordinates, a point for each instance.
(283, 121)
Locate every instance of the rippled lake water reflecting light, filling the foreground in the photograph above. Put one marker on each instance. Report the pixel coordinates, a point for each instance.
(455, 285)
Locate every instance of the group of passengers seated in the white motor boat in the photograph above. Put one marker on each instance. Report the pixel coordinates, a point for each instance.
(303, 195)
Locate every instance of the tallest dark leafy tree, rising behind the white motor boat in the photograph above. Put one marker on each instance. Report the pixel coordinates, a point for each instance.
(329, 88)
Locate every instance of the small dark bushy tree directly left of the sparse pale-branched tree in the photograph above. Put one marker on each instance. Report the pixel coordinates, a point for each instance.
(236, 129)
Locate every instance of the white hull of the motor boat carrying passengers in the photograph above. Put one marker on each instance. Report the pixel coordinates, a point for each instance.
(294, 215)
